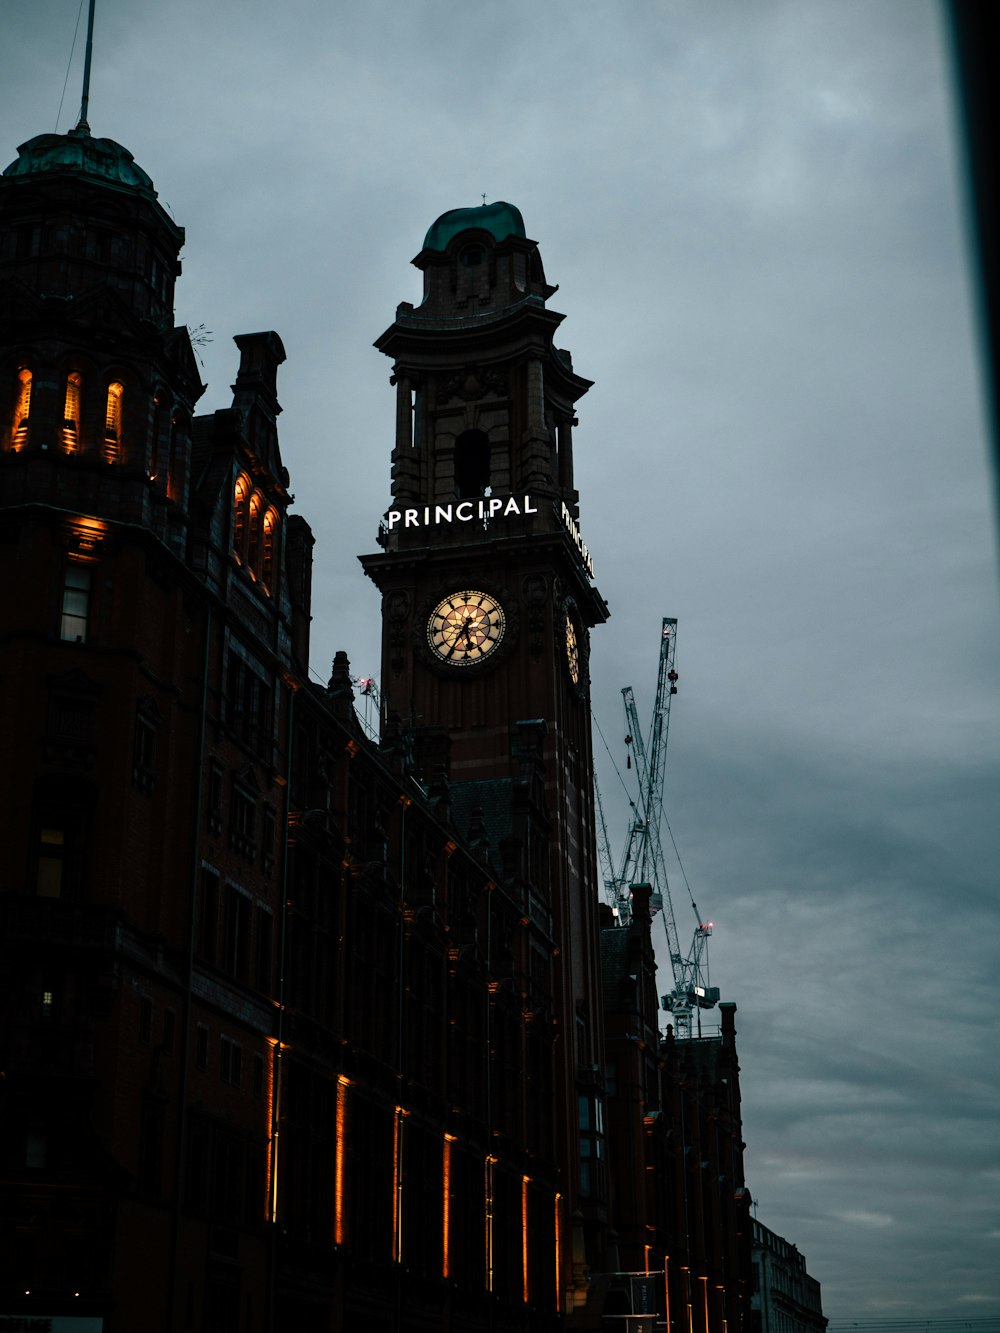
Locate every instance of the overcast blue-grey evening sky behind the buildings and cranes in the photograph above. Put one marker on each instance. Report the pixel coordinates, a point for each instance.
(753, 211)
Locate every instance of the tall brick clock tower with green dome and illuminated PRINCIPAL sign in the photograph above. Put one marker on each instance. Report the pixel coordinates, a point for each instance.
(489, 602)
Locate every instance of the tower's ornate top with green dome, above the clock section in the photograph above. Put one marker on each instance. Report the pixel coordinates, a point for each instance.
(486, 402)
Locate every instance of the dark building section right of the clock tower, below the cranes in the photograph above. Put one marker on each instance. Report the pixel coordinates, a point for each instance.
(675, 1144)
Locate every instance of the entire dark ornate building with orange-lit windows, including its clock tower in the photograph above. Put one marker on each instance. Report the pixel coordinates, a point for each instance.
(302, 1032)
